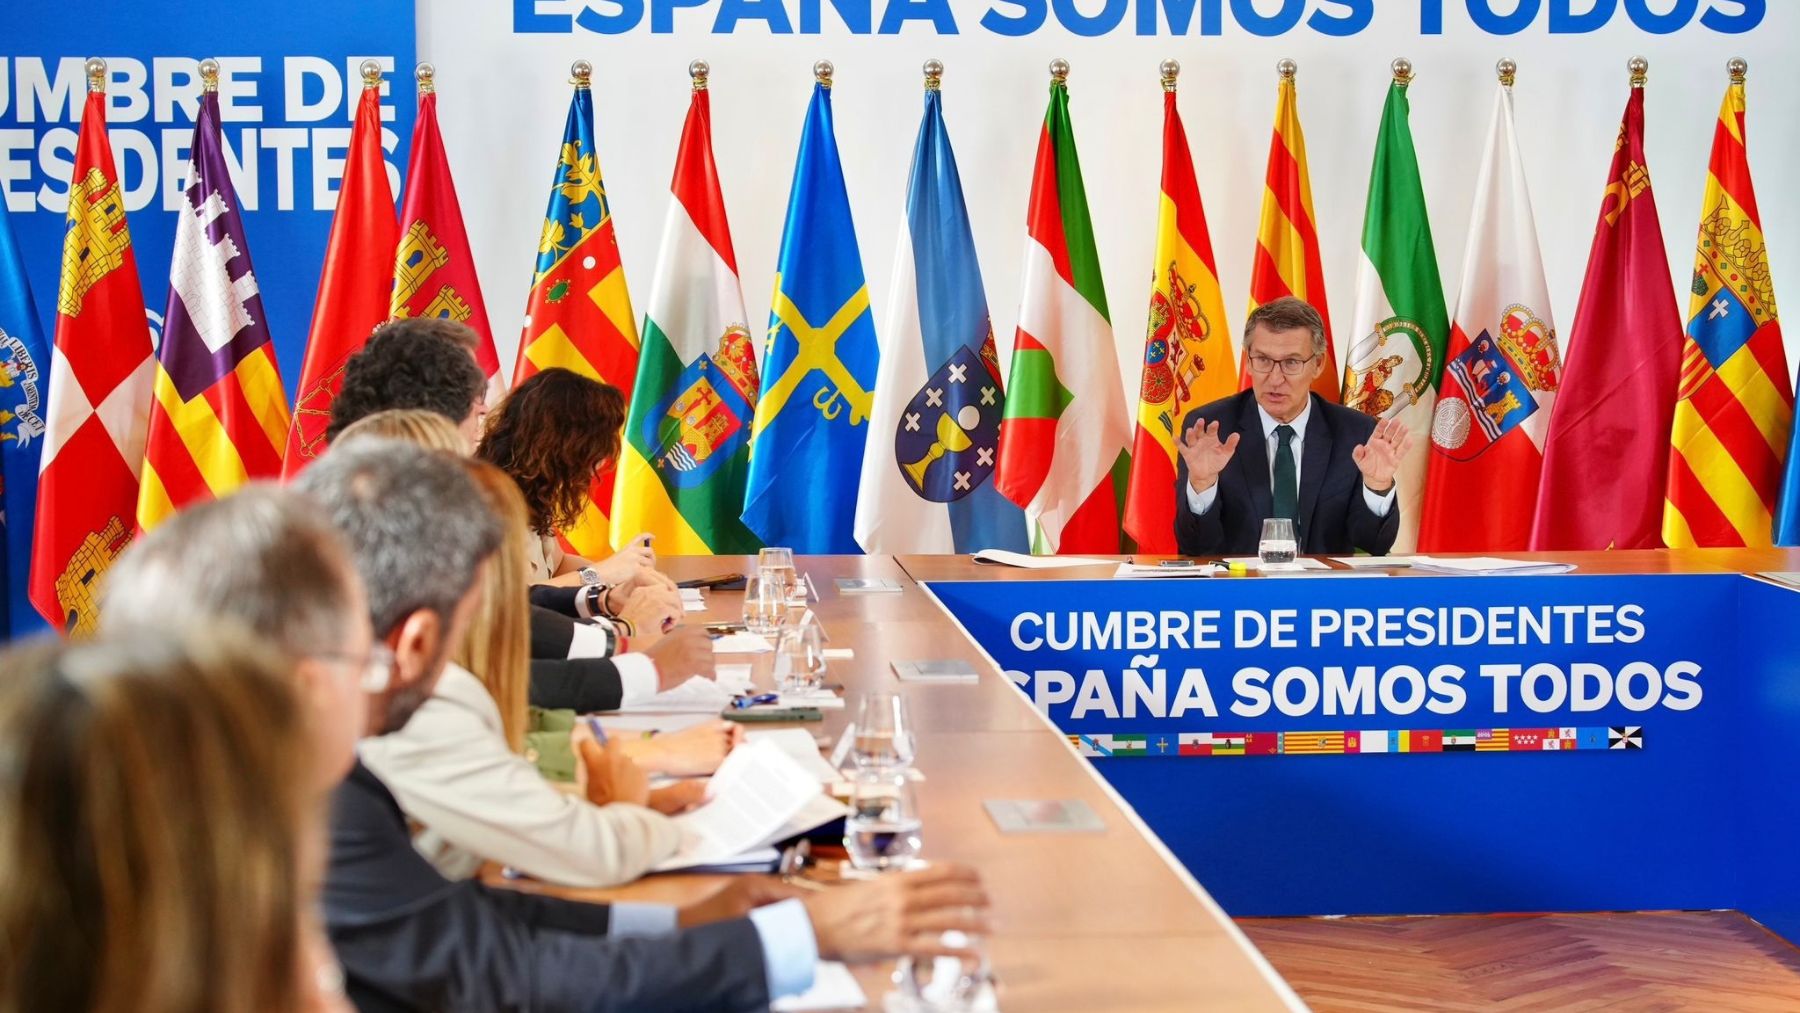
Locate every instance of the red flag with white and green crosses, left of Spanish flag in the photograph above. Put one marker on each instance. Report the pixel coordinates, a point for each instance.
(1065, 438)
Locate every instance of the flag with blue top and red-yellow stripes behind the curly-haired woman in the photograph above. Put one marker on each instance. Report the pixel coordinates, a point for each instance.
(579, 316)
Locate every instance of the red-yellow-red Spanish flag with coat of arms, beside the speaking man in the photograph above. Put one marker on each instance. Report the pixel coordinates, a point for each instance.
(1187, 354)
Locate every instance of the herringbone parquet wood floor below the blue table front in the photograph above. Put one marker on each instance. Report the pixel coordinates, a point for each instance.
(1642, 962)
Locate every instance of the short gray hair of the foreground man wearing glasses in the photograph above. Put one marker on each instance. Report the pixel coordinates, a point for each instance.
(262, 557)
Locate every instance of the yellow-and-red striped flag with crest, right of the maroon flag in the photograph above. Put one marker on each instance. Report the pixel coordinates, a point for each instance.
(1736, 411)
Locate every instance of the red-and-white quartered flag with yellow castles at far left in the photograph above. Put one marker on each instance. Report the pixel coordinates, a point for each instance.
(100, 390)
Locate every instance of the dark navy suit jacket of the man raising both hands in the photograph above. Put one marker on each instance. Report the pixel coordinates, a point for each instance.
(1335, 519)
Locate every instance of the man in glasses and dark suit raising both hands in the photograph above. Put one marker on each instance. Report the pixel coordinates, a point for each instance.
(1281, 451)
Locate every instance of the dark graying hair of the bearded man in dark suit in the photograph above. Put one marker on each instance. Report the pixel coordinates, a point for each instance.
(415, 523)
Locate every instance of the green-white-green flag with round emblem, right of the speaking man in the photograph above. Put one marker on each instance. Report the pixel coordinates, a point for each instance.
(1399, 323)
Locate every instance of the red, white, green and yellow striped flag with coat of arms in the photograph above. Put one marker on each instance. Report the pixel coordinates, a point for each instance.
(688, 438)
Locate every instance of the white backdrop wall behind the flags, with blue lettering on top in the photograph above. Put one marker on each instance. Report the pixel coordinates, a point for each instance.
(503, 100)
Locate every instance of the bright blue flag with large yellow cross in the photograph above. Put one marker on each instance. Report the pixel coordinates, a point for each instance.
(818, 363)
